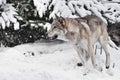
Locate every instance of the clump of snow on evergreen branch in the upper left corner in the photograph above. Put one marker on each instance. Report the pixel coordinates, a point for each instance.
(8, 15)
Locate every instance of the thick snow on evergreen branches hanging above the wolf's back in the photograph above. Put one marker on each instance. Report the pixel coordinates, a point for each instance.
(79, 8)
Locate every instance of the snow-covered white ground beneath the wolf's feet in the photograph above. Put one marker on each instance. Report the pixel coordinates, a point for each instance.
(55, 60)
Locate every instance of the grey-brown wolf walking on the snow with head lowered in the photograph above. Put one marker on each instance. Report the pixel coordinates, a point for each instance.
(83, 33)
